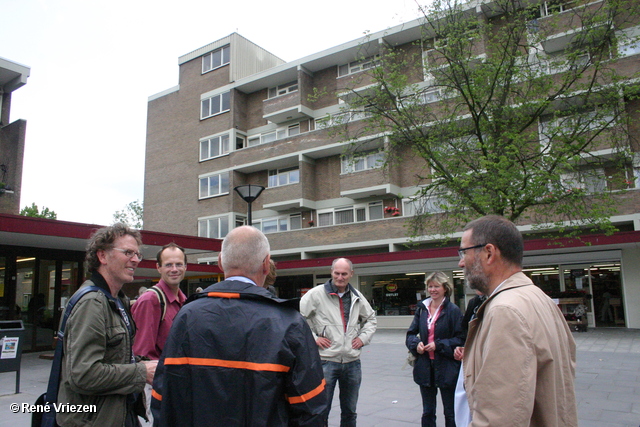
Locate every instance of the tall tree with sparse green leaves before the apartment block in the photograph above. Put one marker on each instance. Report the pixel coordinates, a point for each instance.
(506, 122)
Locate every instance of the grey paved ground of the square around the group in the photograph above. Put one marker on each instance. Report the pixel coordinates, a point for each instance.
(607, 383)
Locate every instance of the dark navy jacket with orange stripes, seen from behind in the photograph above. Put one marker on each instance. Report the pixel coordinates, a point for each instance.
(237, 356)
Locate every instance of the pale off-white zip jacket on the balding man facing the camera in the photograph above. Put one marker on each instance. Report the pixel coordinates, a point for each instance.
(327, 317)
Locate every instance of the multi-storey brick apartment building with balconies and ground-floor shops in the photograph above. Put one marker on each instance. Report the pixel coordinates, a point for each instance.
(240, 115)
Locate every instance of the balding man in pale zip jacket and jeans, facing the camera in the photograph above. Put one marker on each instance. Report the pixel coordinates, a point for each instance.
(342, 321)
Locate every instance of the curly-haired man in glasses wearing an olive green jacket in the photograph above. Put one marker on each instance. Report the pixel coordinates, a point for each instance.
(98, 365)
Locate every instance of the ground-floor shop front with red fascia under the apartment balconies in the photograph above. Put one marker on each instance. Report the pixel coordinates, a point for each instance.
(594, 280)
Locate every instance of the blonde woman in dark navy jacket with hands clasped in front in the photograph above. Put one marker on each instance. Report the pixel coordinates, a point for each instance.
(435, 332)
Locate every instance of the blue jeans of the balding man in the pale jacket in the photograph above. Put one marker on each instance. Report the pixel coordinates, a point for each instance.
(349, 377)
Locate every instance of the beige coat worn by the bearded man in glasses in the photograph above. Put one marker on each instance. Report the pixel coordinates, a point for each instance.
(520, 358)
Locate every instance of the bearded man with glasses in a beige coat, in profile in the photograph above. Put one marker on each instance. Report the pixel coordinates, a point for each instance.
(520, 356)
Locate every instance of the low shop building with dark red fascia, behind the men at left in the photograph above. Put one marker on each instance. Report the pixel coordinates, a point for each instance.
(42, 265)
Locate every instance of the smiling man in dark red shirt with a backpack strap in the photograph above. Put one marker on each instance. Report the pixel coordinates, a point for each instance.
(154, 312)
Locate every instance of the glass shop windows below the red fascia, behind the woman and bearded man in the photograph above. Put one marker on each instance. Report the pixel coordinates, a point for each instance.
(596, 285)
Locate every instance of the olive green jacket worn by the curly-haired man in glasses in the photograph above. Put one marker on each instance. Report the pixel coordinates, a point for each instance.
(96, 366)
